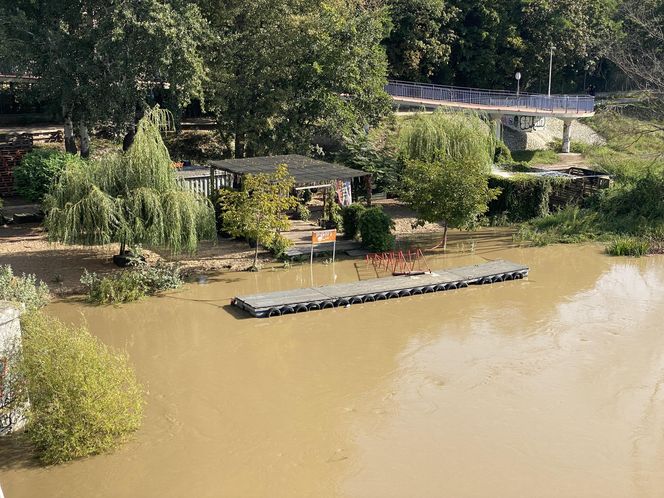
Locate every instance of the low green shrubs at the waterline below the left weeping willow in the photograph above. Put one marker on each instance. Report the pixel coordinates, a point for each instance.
(131, 284)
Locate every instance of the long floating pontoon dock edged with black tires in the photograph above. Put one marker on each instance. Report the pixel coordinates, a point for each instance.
(331, 296)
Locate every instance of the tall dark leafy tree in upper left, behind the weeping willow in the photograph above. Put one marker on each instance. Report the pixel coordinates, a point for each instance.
(103, 62)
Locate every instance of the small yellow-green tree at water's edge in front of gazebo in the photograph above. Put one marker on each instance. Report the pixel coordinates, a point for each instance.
(257, 212)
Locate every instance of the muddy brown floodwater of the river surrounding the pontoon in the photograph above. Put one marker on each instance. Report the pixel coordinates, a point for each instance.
(546, 387)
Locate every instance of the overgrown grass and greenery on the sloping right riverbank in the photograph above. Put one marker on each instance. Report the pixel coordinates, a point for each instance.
(630, 214)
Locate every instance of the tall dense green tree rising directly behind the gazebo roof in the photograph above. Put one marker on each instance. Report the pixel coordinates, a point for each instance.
(285, 71)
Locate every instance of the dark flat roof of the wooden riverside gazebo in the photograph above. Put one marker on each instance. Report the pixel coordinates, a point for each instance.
(305, 171)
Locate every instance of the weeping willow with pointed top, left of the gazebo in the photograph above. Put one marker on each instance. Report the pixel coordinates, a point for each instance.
(129, 198)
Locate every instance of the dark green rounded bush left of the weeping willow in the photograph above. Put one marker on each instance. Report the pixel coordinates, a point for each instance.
(38, 170)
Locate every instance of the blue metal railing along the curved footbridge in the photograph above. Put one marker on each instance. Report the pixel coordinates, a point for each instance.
(567, 104)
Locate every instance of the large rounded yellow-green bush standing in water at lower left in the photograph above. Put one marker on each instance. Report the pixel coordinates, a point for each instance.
(84, 398)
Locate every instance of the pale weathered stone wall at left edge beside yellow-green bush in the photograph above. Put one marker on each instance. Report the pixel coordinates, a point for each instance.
(12, 416)
